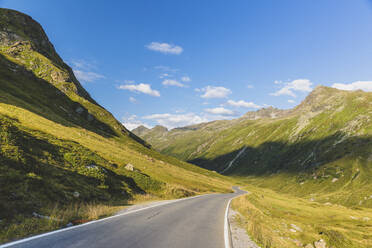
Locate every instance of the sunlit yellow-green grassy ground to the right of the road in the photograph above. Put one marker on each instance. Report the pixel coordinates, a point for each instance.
(278, 220)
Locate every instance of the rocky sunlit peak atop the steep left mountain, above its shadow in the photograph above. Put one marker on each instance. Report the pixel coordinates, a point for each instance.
(21, 37)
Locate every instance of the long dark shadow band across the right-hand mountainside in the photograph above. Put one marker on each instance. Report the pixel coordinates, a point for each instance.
(302, 156)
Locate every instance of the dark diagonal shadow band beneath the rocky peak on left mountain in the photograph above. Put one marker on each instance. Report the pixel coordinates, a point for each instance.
(23, 89)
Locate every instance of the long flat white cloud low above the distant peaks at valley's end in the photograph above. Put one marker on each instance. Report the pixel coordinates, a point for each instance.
(176, 120)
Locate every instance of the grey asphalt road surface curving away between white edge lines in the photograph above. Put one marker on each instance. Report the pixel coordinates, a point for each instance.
(189, 223)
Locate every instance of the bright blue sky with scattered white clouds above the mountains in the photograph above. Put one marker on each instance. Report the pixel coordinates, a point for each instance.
(178, 63)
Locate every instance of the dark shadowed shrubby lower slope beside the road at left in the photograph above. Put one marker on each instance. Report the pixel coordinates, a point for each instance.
(36, 172)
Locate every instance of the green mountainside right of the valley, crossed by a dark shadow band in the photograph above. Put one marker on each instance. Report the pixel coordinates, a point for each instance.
(321, 149)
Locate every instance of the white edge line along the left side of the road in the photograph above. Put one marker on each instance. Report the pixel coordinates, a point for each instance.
(92, 222)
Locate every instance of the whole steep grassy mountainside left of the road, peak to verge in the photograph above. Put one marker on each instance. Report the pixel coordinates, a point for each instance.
(58, 147)
